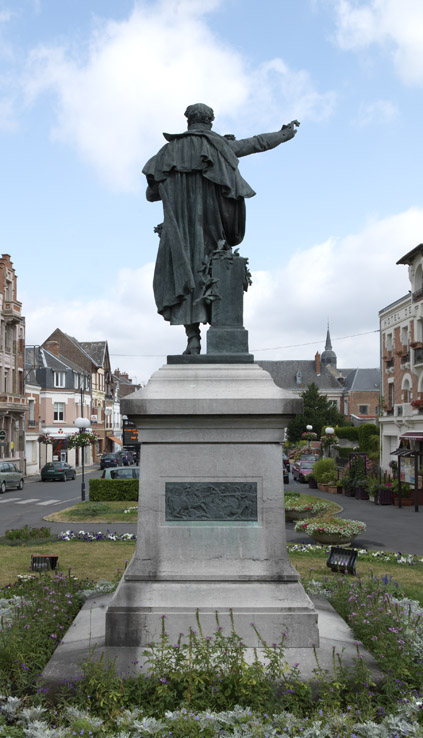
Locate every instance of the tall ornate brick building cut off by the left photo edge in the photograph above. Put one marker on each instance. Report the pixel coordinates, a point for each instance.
(13, 404)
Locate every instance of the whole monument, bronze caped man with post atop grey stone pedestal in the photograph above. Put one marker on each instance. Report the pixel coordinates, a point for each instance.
(211, 527)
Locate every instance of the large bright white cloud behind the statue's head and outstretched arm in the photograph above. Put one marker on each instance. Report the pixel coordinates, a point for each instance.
(136, 77)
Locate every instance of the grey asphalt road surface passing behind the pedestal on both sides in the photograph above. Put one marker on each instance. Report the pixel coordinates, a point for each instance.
(388, 528)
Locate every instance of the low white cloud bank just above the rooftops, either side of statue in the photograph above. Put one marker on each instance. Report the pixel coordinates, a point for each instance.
(347, 280)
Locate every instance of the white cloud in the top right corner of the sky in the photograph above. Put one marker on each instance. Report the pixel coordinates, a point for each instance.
(397, 26)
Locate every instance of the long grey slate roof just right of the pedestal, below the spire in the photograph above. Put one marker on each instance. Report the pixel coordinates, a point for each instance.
(284, 375)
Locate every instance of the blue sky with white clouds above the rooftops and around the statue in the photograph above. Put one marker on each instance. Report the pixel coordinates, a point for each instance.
(87, 87)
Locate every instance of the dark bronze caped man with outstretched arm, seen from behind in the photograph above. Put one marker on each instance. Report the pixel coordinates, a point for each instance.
(196, 177)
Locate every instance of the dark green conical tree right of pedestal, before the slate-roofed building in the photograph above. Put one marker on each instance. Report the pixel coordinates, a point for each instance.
(318, 412)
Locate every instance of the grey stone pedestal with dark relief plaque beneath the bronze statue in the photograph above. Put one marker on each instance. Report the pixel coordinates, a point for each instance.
(211, 529)
